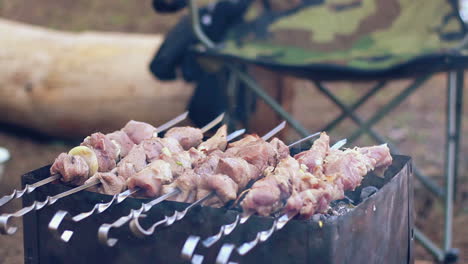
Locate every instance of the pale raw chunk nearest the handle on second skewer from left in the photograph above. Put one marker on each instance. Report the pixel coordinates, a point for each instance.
(110, 183)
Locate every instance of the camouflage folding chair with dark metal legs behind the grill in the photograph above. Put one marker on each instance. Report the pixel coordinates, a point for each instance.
(365, 40)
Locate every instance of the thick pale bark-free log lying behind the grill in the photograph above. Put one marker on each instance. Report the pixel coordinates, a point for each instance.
(72, 84)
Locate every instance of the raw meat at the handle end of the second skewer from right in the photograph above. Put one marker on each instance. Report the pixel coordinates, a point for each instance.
(267, 194)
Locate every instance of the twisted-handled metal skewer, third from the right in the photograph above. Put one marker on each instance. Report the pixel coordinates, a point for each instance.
(138, 230)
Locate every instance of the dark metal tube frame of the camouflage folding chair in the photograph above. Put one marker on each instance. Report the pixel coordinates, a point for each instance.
(444, 254)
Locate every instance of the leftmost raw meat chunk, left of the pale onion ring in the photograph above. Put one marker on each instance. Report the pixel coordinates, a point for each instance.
(74, 169)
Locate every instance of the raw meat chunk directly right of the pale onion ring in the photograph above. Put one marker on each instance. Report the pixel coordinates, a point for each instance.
(106, 151)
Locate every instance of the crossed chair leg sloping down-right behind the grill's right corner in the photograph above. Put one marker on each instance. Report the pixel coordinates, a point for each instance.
(427, 182)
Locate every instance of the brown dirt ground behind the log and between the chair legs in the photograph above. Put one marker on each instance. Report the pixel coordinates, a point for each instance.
(417, 126)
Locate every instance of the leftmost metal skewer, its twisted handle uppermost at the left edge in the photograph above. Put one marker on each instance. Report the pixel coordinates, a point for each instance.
(30, 188)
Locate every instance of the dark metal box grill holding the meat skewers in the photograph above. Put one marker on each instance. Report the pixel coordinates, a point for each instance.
(378, 230)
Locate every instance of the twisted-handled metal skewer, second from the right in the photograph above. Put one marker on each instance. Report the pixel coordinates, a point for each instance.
(192, 241)
